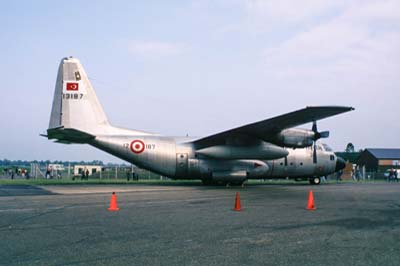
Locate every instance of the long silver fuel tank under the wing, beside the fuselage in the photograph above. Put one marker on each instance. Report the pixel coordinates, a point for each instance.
(264, 150)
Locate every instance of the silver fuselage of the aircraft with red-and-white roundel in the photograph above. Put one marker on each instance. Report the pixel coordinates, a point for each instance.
(177, 158)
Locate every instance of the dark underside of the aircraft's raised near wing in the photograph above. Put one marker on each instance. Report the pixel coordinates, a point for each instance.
(265, 129)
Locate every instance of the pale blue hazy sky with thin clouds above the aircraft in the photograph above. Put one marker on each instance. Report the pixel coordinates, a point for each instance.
(199, 67)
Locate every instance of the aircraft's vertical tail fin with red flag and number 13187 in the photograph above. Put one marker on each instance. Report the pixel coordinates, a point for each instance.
(75, 104)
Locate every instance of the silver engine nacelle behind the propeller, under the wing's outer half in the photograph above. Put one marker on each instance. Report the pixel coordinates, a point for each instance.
(295, 138)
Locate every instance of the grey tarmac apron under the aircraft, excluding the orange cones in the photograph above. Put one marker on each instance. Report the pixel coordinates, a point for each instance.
(354, 224)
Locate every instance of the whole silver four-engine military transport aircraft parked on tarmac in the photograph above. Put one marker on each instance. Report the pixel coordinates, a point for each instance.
(271, 148)
